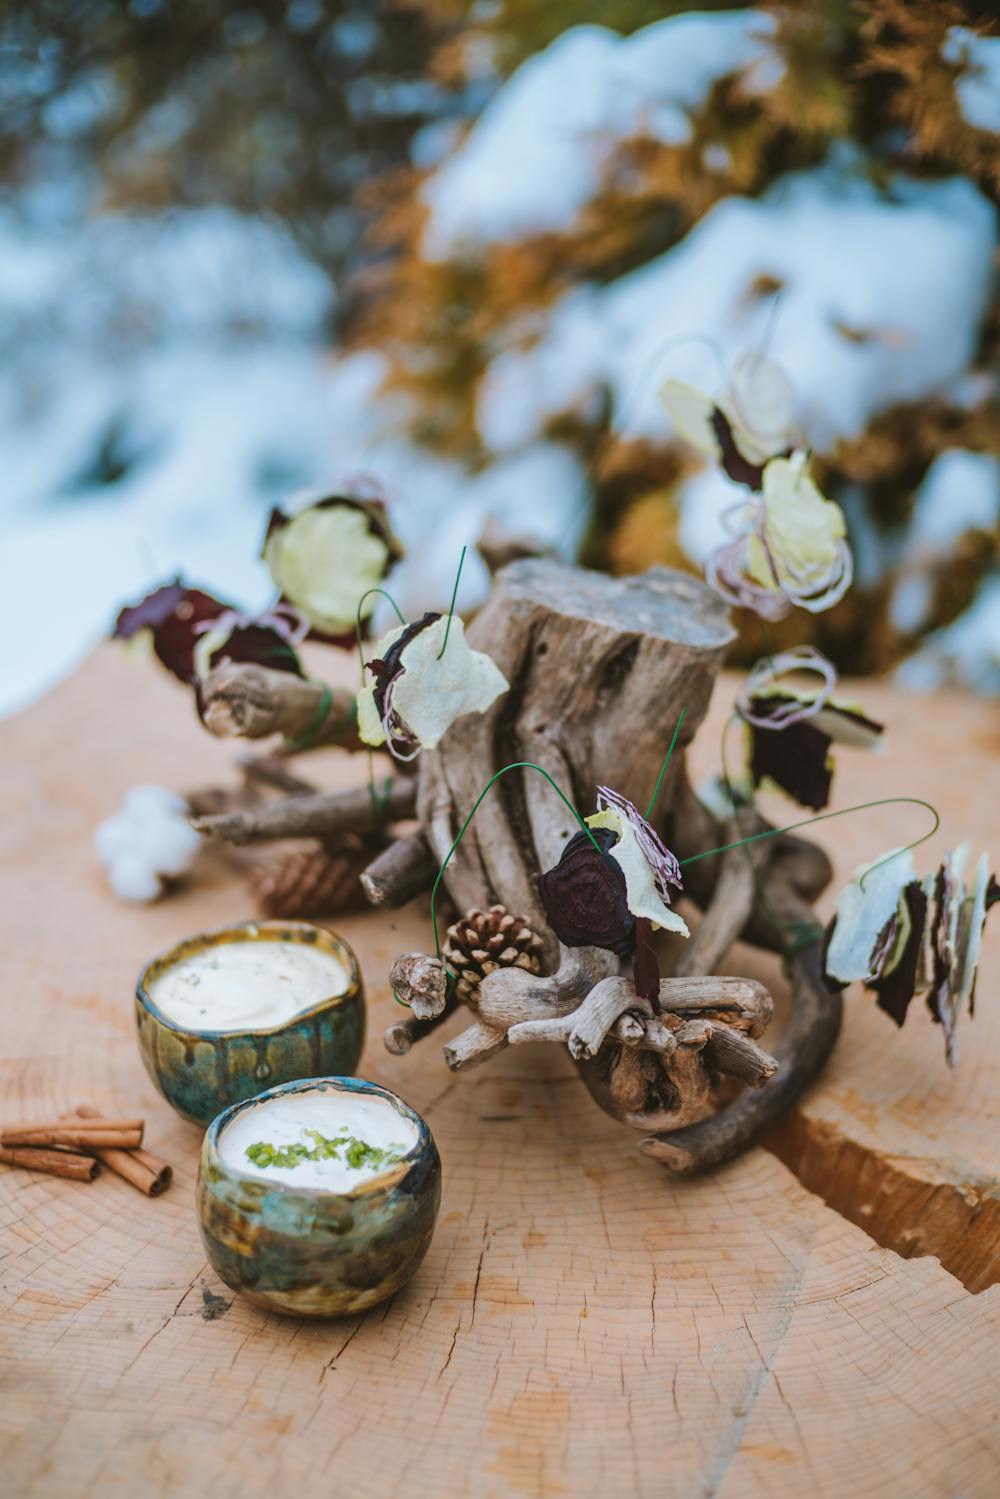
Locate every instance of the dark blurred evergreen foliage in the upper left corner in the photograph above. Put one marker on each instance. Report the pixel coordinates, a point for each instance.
(290, 110)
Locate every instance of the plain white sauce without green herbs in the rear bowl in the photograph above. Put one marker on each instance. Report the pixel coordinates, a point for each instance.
(248, 986)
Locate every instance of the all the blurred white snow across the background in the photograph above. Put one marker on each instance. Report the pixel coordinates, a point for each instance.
(170, 373)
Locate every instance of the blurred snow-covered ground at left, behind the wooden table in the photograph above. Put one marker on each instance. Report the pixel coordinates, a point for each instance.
(169, 381)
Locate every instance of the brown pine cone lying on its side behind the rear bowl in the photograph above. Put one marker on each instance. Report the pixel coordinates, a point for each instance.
(314, 882)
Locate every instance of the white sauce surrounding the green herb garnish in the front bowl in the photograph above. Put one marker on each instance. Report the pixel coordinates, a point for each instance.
(286, 1119)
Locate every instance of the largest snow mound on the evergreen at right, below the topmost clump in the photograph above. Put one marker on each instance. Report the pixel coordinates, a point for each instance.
(882, 298)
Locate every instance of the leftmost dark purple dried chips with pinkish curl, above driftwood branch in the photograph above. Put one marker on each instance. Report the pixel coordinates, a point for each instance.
(194, 632)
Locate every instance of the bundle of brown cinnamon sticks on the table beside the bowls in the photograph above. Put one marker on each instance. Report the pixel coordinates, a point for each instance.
(74, 1144)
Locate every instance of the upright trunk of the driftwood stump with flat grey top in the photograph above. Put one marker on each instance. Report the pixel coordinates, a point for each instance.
(600, 671)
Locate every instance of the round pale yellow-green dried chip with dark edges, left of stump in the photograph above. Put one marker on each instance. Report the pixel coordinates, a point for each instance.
(328, 555)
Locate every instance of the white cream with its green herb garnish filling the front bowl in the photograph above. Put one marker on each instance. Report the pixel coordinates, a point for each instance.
(352, 1138)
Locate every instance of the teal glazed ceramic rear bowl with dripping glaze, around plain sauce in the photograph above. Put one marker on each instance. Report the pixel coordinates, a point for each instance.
(202, 1073)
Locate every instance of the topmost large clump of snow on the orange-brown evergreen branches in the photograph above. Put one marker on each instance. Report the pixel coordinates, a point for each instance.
(534, 157)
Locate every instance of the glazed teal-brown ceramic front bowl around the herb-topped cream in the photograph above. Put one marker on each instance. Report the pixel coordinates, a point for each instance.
(308, 1251)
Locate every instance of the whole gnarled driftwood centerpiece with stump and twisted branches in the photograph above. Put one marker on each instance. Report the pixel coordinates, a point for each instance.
(600, 669)
